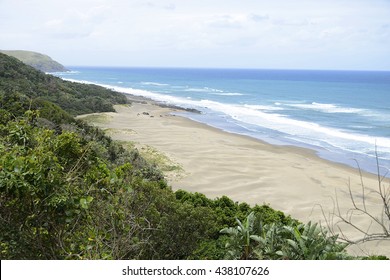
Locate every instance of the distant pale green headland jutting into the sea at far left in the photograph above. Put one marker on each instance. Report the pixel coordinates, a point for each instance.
(39, 61)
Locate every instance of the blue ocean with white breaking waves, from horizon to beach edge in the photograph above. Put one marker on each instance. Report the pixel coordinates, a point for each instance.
(344, 116)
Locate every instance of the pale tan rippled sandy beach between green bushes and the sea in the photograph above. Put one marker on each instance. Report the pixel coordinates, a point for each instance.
(216, 163)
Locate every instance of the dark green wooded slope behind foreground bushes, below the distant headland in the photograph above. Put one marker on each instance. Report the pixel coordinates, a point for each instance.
(32, 86)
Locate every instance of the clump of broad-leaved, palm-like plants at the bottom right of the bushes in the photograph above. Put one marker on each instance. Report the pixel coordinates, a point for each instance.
(253, 240)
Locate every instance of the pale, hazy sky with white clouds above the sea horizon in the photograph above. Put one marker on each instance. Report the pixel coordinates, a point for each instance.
(265, 34)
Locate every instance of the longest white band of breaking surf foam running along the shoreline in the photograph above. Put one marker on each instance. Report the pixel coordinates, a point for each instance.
(264, 117)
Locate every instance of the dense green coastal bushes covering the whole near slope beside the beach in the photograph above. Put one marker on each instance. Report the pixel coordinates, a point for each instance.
(68, 191)
